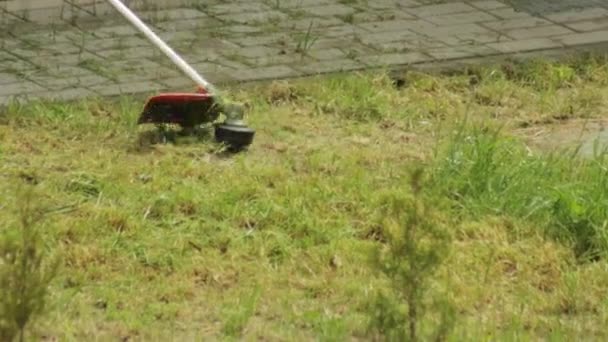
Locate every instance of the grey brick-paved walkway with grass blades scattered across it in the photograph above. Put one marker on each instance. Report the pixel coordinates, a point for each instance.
(268, 39)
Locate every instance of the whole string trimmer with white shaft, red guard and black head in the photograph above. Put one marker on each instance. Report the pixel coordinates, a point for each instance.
(189, 110)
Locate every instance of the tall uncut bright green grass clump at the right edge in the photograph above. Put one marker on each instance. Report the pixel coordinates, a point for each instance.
(487, 173)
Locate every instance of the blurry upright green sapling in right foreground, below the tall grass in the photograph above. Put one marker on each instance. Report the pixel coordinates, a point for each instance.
(417, 244)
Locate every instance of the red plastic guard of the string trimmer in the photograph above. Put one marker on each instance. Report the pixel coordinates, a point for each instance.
(184, 109)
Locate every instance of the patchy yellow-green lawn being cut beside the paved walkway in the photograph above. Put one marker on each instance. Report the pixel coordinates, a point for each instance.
(180, 241)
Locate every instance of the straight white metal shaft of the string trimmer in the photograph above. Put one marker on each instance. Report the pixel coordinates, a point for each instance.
(179, 62)
